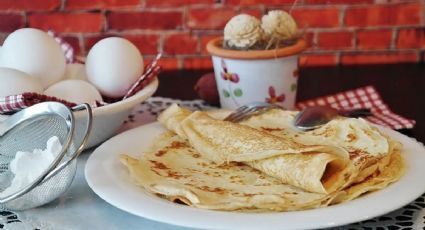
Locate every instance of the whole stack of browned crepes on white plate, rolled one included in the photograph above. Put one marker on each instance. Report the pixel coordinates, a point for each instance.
(263, 163)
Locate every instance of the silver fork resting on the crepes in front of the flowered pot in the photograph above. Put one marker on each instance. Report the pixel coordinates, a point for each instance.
(249, 110)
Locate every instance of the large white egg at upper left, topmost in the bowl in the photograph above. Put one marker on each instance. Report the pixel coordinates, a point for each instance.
(36, 53)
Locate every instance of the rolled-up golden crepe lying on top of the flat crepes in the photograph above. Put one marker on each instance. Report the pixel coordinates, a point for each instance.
(315, 168)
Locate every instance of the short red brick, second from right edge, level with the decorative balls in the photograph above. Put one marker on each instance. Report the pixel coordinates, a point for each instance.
(374, 39)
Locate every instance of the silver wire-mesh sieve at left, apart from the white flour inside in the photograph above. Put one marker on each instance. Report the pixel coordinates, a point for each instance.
(33, 133)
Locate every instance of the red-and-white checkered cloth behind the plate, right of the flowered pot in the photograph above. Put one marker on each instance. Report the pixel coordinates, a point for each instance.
(365, 97)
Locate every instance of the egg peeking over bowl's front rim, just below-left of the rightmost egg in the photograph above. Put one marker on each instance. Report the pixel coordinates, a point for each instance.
(74, 90)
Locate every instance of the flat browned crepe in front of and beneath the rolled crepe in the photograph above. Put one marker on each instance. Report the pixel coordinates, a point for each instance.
(172, 169)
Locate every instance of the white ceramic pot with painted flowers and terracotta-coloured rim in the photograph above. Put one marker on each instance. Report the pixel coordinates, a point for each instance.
(259, 75)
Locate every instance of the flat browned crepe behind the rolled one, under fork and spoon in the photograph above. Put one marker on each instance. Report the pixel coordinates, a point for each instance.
(368, 148)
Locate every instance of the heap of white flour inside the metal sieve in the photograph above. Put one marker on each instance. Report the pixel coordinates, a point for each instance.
(27, 166)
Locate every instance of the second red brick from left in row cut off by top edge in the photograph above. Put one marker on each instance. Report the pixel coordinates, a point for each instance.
(100, 4)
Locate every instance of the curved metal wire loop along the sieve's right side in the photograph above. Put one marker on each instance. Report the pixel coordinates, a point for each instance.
(89, 122)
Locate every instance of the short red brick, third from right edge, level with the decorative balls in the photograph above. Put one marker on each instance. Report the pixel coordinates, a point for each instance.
(336, 40)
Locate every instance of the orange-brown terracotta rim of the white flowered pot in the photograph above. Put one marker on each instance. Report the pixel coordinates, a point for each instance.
(214, 47)
